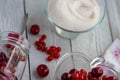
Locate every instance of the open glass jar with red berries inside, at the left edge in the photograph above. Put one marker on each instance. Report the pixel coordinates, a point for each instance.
(13, 55)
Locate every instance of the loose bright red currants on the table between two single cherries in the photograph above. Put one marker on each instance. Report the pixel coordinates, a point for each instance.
(52, 51)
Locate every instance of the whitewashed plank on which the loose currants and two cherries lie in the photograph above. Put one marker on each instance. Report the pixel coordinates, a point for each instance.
(36, 16)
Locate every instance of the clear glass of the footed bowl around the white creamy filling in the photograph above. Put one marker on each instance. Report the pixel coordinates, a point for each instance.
(66, 33)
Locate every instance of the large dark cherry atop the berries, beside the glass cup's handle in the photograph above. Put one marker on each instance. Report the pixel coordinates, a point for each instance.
(97, 72)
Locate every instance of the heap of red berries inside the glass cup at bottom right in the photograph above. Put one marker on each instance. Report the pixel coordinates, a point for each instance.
(95, 74)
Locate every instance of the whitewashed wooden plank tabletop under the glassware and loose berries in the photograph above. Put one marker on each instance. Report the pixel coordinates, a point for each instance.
(93, 43)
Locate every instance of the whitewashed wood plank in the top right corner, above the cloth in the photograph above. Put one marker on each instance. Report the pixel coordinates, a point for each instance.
(114, 16)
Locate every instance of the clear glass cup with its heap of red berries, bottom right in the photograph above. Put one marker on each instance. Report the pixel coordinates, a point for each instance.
(77, 66)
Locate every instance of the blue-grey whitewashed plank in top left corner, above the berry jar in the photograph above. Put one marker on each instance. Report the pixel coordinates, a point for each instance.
(11, 15)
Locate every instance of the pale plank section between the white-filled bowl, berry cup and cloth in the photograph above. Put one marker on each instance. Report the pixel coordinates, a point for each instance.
(95, 42)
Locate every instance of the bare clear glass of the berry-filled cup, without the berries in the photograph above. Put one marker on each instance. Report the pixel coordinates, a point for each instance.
(78, 60)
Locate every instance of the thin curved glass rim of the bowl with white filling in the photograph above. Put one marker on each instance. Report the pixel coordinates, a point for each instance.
(52, 22)
